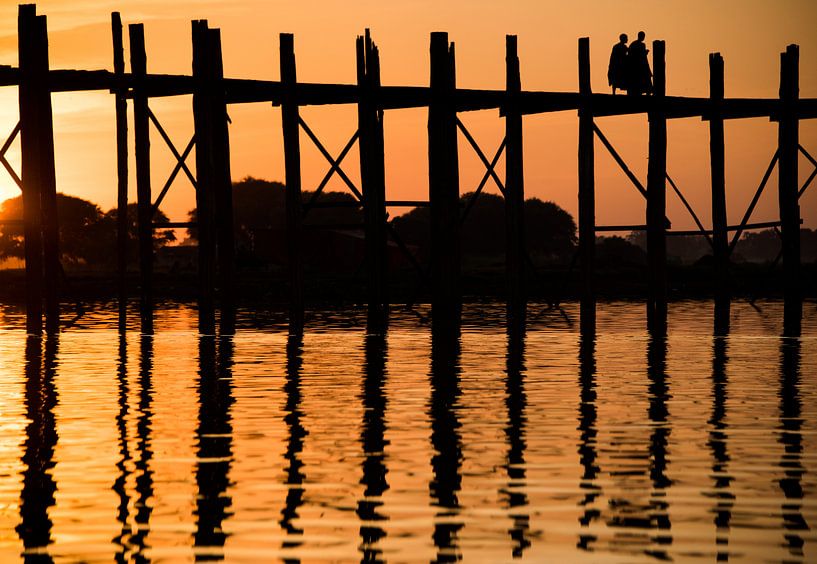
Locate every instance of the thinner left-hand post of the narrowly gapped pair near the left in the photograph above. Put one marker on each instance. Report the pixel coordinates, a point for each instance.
(121, 169)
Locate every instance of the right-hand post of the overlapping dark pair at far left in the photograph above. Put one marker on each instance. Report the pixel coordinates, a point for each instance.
(48, 184)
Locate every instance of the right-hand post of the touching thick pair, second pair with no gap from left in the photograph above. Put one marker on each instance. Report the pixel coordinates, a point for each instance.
(223, 187)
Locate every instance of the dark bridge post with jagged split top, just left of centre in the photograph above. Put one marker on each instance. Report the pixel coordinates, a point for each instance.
(372, 173)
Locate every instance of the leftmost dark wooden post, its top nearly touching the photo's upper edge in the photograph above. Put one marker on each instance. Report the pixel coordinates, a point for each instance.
(31, 81)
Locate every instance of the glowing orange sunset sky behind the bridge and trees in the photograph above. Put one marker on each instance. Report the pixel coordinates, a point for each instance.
(749, 33)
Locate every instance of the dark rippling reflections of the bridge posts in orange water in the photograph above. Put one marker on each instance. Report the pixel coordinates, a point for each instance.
(623, 497)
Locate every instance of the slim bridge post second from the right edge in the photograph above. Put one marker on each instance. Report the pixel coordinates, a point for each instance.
(720, 236)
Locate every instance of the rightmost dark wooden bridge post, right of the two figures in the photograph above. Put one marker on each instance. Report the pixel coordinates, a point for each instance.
(788, 142)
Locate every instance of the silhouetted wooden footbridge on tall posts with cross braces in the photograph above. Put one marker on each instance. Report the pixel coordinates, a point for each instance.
(212, 93)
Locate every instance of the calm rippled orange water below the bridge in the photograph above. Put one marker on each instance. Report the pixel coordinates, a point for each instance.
(345, 446)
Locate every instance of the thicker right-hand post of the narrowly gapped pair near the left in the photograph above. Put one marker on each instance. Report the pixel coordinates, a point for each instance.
(141, 132)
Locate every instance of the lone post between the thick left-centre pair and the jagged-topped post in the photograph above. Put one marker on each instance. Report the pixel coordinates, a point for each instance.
(292, 173)
